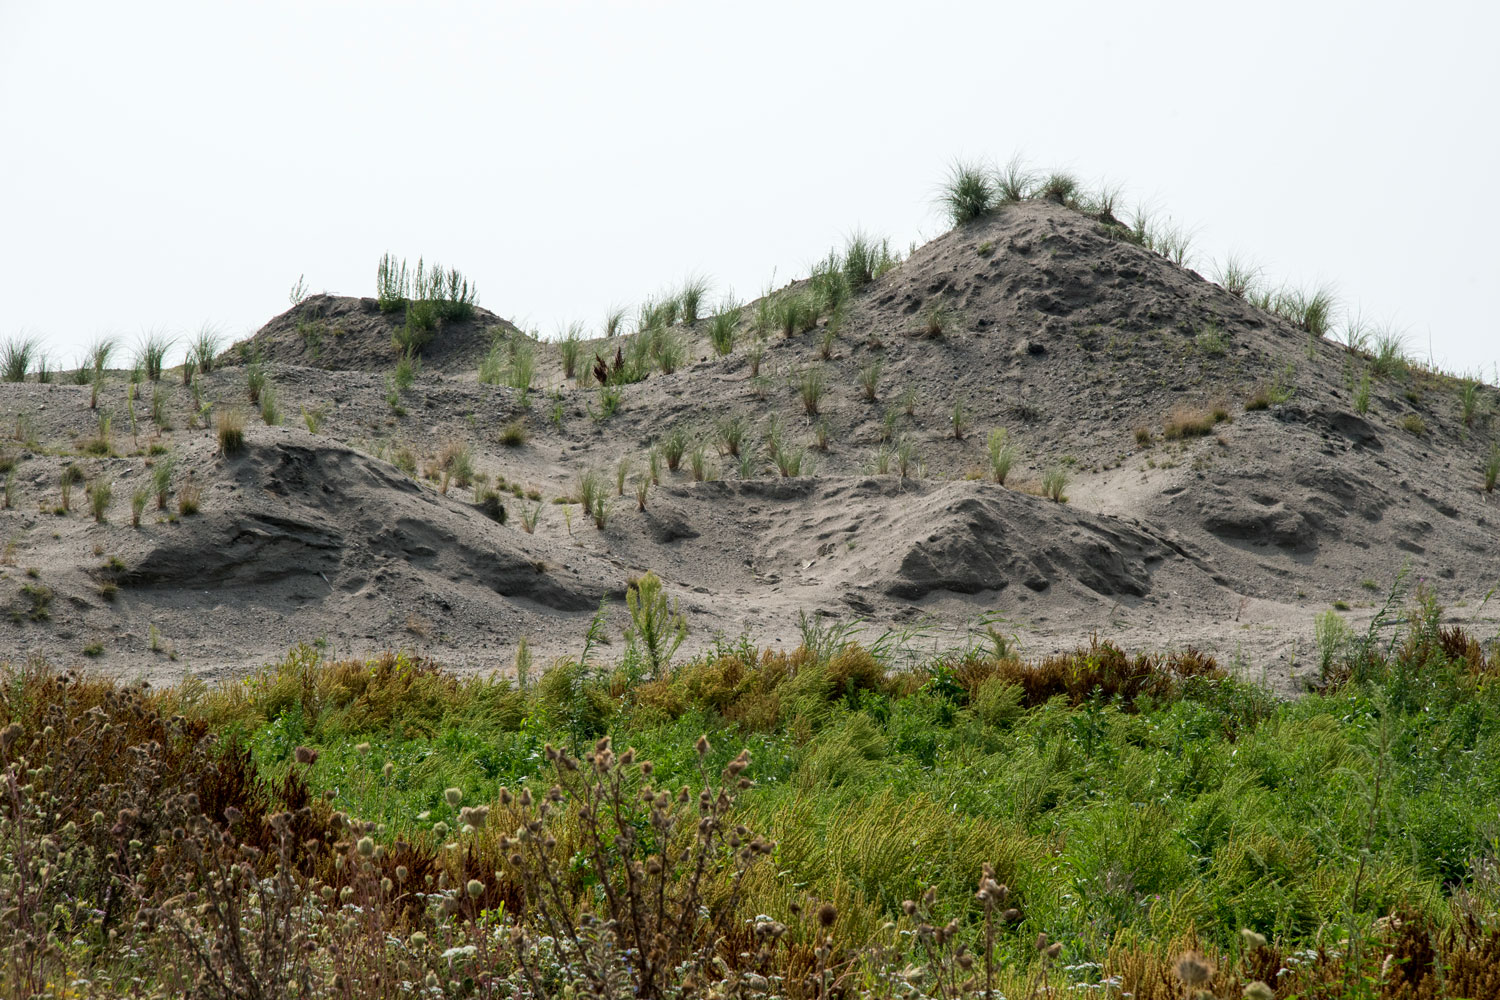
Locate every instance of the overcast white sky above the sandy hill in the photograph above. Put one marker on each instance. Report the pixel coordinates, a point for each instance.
(172, 164)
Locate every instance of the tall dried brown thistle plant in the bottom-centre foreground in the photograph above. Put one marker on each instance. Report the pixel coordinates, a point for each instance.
(655, 854)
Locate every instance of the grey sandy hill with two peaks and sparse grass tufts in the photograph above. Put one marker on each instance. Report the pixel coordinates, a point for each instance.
(1228, 476)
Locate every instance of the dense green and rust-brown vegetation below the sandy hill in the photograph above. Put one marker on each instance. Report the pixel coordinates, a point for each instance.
(359, 830)
